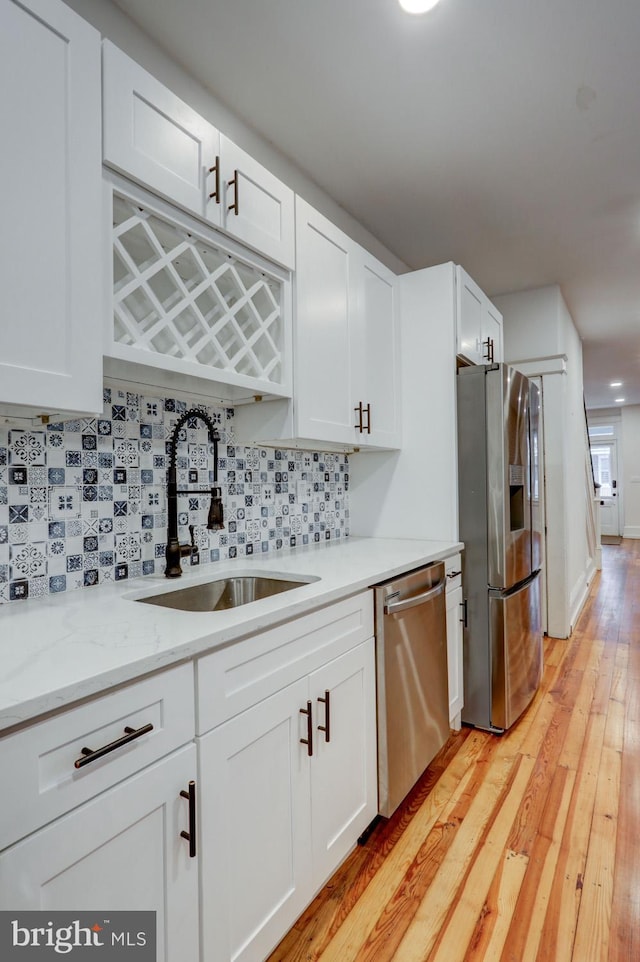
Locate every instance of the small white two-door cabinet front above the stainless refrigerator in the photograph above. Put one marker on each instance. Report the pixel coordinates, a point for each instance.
(478, 325)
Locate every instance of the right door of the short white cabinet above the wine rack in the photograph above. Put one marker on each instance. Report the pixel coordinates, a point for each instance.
(257, 207)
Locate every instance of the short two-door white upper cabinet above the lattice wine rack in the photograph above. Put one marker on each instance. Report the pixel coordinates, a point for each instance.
(154, 137)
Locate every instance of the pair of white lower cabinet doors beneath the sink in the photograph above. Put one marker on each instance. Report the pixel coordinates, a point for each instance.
(288, 785)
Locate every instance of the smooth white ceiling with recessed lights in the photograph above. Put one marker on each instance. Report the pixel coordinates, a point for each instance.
(500, 134)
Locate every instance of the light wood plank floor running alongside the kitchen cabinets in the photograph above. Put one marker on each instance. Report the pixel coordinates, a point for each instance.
(514, 848)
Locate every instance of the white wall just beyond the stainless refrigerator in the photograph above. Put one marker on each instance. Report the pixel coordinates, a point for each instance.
(538, 325)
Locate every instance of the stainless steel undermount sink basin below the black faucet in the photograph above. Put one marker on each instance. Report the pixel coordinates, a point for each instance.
(221, 594)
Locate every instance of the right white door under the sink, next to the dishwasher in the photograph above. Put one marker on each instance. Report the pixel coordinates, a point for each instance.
(344, 786)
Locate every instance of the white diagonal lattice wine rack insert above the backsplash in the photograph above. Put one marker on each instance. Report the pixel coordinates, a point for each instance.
(182, 297)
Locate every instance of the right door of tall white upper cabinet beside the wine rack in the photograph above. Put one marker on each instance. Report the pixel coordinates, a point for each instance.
(376, 354)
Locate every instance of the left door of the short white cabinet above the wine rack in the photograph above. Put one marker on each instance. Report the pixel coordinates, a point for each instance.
(156, 138)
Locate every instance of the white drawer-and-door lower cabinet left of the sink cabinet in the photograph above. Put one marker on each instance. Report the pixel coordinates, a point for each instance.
(94, 818)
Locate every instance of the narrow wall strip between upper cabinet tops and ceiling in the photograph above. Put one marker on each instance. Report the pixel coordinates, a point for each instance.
(117, 27)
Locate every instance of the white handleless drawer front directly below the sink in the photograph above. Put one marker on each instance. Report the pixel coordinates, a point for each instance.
(237, 677)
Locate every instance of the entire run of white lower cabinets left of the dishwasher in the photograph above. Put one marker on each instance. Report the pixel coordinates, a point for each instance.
(114, 807)
